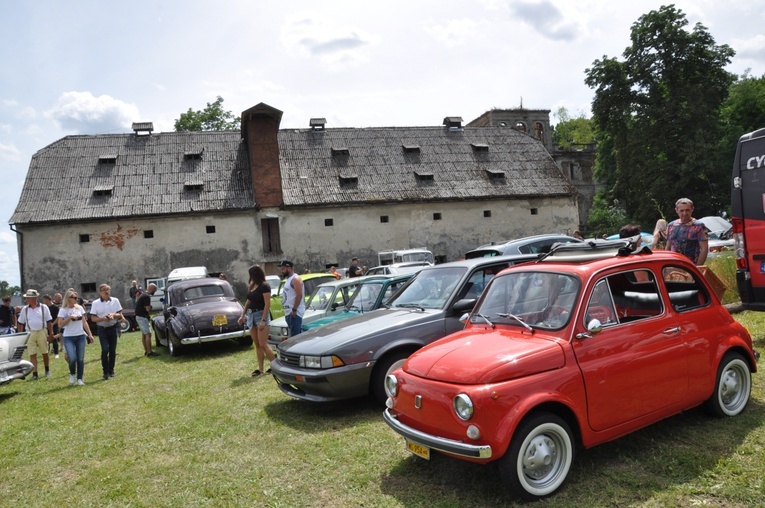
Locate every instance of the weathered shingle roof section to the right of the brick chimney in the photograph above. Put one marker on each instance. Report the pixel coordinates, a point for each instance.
(387, 166)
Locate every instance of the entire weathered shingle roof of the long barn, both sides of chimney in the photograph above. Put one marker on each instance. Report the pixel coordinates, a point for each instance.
(124, 175)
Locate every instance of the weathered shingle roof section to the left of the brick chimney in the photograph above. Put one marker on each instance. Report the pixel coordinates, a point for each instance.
(147, 175)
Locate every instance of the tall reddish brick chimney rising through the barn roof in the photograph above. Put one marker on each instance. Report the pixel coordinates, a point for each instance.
(260, 129)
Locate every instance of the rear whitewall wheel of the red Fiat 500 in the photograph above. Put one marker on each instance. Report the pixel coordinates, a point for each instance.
(733, 386)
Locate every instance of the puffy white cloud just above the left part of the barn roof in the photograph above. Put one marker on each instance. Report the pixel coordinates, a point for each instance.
(85, 114)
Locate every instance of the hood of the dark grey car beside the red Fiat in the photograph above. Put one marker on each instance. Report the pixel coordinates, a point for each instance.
(327, 339)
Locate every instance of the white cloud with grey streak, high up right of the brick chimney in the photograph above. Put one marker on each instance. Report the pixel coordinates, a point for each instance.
(311, 37)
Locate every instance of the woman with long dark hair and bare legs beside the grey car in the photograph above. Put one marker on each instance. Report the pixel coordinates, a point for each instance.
(257, 316)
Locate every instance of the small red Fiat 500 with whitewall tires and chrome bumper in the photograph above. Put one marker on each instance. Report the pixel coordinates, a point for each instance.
(584, 346)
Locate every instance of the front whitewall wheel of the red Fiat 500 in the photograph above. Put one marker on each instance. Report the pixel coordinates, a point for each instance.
(539, 457)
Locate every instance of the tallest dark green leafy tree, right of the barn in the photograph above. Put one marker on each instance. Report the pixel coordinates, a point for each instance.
(657, 119)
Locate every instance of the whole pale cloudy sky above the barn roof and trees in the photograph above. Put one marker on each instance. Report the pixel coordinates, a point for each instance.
(94, 67)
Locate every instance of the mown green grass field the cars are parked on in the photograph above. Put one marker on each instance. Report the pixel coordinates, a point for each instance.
(199, 431)
